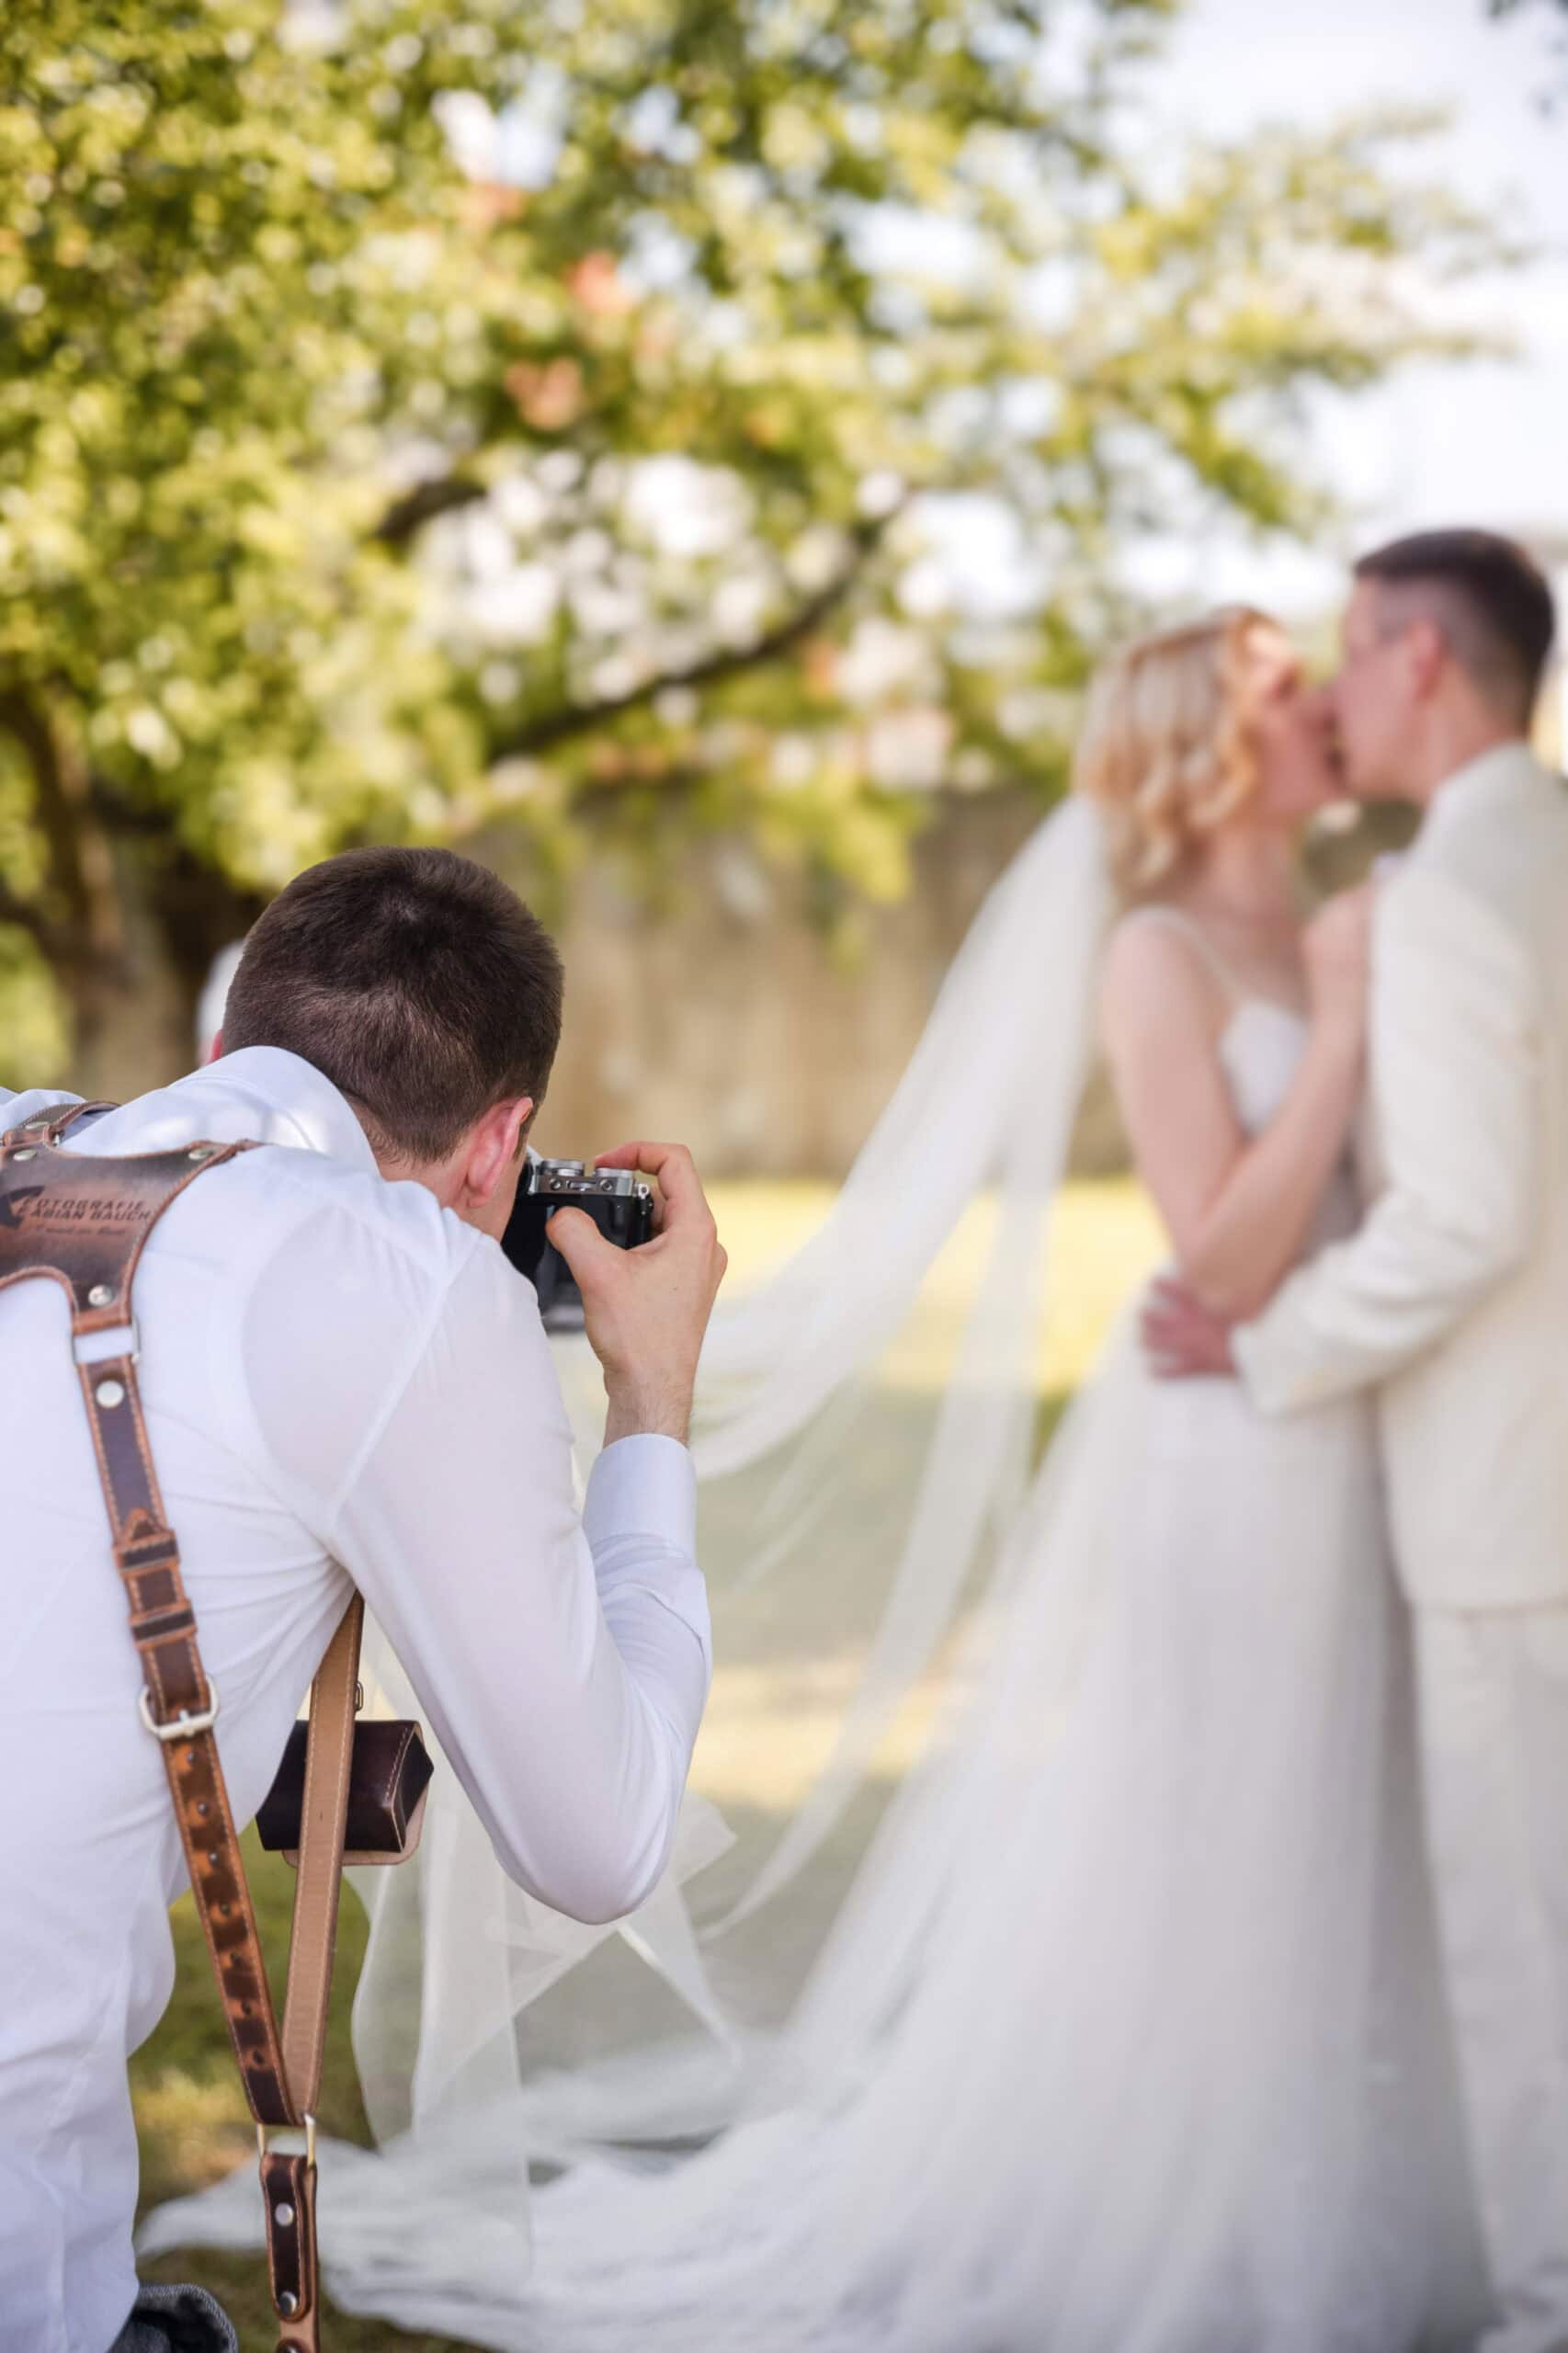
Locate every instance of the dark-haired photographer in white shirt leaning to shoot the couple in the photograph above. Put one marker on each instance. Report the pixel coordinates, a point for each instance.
(343, 1382)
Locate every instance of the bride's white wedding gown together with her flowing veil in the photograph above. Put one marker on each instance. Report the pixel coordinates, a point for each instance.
(1129, 2037)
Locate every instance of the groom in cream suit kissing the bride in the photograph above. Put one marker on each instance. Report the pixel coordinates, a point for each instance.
(1454, 1305)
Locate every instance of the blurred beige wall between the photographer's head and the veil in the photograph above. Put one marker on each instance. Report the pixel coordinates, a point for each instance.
(722, 1018)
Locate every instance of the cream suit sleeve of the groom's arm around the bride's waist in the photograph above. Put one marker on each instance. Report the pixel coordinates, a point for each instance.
(1456, 1086)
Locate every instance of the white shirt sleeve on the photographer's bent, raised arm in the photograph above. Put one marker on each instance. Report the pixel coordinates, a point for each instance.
(562, 1660)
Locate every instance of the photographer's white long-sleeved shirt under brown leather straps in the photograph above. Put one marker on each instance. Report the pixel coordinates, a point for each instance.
(340, 1382)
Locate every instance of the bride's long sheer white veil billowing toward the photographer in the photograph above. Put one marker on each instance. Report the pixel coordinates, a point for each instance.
(863, 1460)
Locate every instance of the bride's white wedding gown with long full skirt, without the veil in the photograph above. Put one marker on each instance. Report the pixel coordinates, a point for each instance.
(1131, 2039)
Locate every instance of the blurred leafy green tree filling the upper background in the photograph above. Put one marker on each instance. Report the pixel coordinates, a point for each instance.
(423, 415)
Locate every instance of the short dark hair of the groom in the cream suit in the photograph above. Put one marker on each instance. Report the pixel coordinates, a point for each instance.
(1487, 596)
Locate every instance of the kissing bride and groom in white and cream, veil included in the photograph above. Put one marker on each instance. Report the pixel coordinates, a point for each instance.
(1207, 1985)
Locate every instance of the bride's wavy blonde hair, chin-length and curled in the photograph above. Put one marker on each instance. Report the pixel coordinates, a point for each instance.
(1164, 749)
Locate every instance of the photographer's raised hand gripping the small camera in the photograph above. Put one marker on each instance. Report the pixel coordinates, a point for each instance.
(646, 1309)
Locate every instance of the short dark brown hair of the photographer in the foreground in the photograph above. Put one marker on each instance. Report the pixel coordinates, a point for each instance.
(413, 980)
